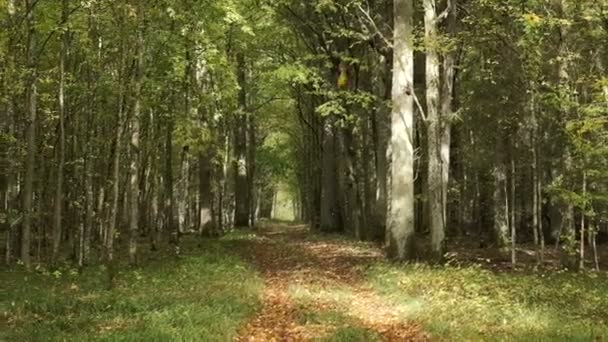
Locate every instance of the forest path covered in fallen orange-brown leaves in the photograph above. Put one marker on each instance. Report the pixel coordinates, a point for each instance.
(314, 289)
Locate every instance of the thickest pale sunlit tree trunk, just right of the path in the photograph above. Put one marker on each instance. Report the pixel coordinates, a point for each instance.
(400, 218)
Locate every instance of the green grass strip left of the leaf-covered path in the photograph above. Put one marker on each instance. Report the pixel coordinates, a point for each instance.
(206, 294)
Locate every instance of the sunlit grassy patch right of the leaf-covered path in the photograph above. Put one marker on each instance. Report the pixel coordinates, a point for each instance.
(475, 304)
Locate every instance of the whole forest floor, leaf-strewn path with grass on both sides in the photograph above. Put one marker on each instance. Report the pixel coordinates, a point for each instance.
(281, 282)
